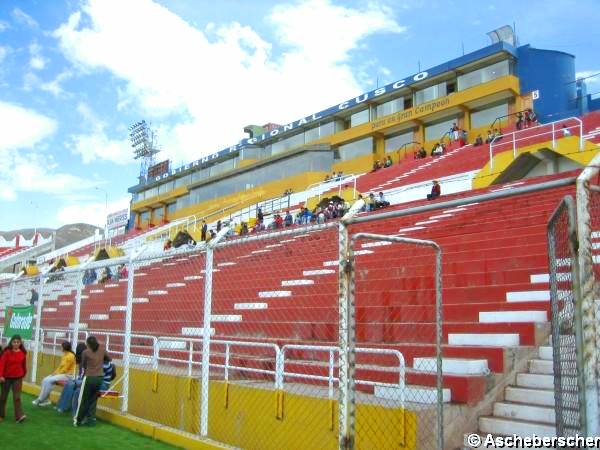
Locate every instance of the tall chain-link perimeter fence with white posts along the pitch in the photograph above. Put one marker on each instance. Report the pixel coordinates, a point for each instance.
(266, 341)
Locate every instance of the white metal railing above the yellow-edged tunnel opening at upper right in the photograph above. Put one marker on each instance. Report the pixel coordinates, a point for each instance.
(524, 135)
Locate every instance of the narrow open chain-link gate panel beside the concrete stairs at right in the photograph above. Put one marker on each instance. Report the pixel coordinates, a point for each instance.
(567, 339)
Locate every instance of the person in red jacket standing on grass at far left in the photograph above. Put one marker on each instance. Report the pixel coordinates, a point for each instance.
(13, 367)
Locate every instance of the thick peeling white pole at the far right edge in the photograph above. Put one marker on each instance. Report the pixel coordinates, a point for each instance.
(588, 296)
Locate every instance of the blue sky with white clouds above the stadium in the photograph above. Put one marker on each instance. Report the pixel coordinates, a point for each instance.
(75, 74)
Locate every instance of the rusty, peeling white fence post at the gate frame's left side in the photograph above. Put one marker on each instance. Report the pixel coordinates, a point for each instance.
(347, 341)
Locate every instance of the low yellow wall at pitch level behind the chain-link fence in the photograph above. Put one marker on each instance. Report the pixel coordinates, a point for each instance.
(250, 417)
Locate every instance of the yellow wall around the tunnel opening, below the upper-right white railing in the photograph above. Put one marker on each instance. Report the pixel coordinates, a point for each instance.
(567, 146)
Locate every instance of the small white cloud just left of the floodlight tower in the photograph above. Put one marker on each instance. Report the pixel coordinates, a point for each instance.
(96, 145)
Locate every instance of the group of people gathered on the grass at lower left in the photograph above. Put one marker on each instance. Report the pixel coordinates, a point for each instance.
(84, 375)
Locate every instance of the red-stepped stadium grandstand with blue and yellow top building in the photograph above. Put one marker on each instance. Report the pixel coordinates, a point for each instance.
(404, 269)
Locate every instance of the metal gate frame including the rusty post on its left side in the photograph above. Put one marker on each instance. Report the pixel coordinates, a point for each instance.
(347, 333)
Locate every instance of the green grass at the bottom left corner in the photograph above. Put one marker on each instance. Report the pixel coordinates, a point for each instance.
(47, 429)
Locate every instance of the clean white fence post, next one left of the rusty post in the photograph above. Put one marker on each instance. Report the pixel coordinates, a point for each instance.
(208, 272)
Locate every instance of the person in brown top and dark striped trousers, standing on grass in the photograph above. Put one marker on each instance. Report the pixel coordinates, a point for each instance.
(92, 361)
